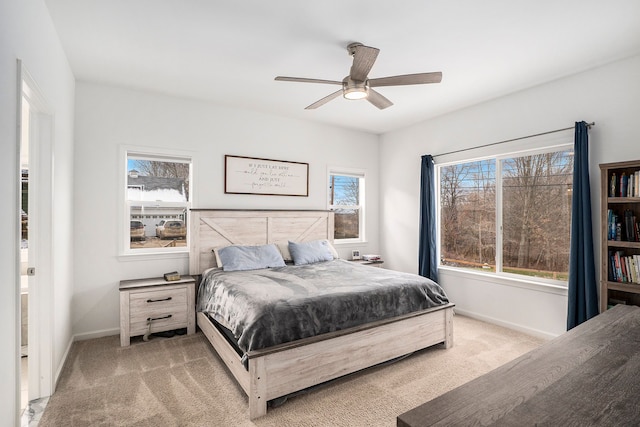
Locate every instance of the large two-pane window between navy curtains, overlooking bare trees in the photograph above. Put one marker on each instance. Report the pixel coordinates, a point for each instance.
(527, 198)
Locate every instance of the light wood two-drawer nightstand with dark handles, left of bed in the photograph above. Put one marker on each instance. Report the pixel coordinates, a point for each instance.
(165, 305)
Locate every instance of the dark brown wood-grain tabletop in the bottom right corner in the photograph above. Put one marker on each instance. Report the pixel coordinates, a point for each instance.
(587, 376)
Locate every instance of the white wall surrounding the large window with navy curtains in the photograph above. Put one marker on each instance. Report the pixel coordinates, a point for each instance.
(608, 95)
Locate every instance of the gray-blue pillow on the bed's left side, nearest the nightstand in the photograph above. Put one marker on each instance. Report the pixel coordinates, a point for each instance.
(237, 258)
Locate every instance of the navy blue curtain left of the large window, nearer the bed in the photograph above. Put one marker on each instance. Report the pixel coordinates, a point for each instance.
(427, 261)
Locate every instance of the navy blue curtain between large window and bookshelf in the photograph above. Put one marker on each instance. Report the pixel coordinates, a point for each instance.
(583, 296)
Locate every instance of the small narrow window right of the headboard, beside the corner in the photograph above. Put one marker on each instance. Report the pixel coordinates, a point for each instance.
(346, 199)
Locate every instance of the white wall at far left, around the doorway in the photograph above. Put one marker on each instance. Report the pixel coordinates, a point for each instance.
(27, 33)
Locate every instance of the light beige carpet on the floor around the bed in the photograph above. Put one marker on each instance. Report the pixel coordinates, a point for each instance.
(180, 381)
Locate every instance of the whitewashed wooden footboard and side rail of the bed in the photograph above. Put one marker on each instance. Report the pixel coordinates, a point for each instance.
(287, 368)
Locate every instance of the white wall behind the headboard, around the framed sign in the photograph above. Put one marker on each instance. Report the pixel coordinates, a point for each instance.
(108, 117)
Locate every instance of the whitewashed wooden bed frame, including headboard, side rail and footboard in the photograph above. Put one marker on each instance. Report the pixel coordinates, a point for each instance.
(283, 369)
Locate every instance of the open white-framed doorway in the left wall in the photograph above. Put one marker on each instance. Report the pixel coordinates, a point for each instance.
(35, 136)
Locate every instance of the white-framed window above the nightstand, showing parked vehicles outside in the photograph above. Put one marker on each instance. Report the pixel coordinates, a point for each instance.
(157, 199)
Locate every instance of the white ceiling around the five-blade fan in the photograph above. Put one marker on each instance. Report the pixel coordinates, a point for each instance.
(229, 51)
